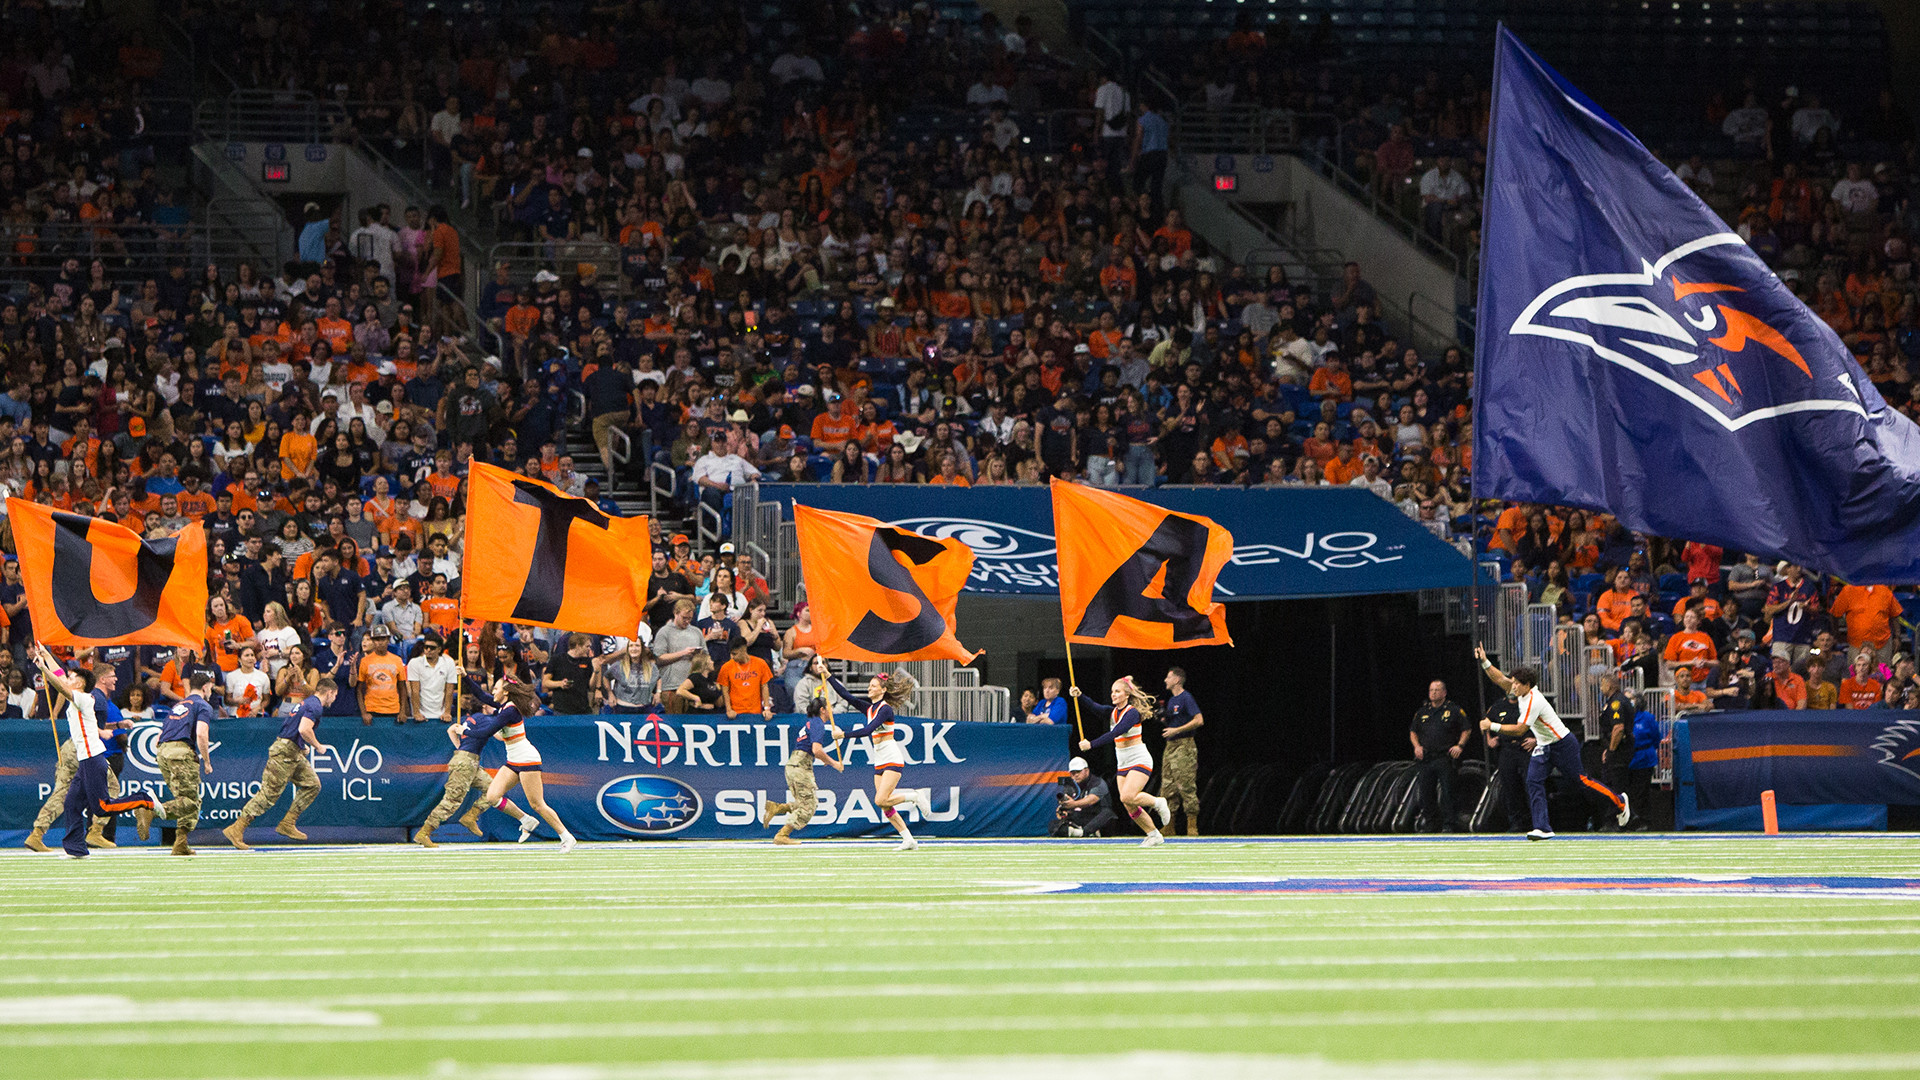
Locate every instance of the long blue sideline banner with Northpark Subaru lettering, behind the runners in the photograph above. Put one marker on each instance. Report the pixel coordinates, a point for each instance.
(608, 777)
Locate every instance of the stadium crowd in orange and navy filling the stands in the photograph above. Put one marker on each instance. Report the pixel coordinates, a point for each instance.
(804, 291)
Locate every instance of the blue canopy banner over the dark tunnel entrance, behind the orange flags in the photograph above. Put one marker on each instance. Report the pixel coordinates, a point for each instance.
(1285, 541)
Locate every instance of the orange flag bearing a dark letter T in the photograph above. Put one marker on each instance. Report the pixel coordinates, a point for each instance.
(542, 558)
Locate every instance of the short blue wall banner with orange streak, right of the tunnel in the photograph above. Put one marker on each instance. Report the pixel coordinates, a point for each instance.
(1858, 758)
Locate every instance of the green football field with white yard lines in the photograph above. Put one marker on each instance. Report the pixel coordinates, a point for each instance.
(1604, 958)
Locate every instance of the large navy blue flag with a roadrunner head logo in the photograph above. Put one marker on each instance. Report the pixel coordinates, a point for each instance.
(1637, 356)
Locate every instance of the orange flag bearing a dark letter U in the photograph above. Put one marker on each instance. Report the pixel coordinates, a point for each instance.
(97, 583)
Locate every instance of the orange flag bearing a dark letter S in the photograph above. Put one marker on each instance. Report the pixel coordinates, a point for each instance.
(880, 593)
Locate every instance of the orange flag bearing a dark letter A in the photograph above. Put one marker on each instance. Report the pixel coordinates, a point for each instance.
(1136, 576)
